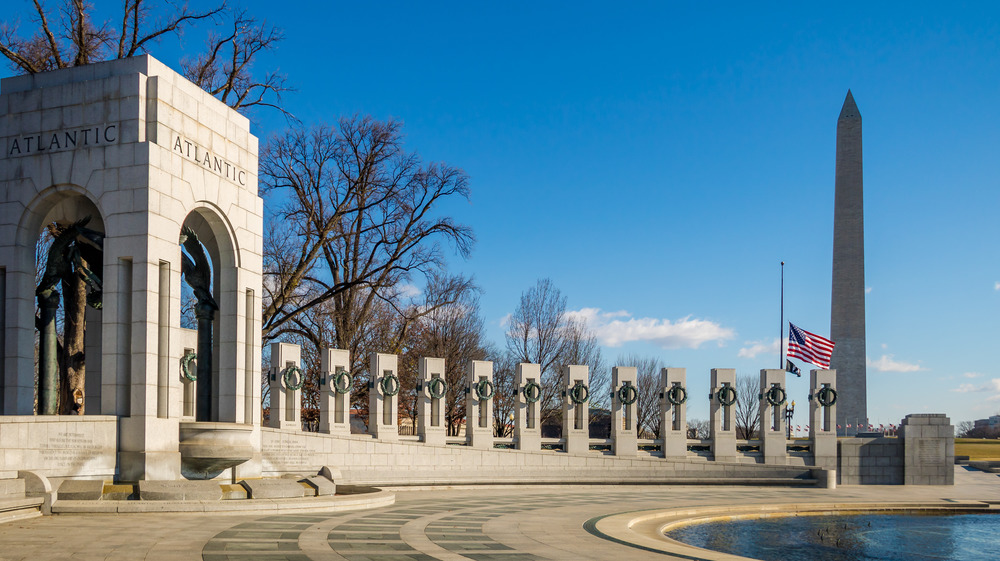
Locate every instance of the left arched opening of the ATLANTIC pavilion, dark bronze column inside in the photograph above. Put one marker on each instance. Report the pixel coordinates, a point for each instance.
(68, 244)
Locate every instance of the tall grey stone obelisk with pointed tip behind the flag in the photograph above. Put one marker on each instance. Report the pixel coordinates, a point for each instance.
(847, 310)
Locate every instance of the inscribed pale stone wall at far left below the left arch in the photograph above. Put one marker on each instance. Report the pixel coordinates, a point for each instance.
(59, 446)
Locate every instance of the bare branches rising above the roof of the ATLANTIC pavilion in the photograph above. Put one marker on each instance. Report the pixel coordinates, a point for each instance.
(69, 36)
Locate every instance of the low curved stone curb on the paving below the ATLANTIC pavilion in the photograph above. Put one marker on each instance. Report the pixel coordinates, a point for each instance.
(337, 503)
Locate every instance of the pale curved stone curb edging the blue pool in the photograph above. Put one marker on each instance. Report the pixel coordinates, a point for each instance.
(645, 529)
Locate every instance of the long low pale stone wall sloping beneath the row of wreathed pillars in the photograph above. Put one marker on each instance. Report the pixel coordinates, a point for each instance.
(365, 460)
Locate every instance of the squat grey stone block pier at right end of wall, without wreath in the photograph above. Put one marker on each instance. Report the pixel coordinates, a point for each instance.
(928, 449)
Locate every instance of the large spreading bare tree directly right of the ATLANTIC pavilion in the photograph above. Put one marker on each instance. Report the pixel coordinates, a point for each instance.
(359, 223)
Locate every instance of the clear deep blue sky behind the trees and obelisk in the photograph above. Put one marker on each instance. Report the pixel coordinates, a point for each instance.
(659, 160)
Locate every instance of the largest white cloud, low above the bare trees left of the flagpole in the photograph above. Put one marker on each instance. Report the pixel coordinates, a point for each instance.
(615, 328)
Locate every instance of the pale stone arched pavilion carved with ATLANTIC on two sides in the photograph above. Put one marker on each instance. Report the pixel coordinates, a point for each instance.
(141, 151)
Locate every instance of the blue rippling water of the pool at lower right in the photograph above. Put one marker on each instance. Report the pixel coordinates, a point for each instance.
(866, 537)
